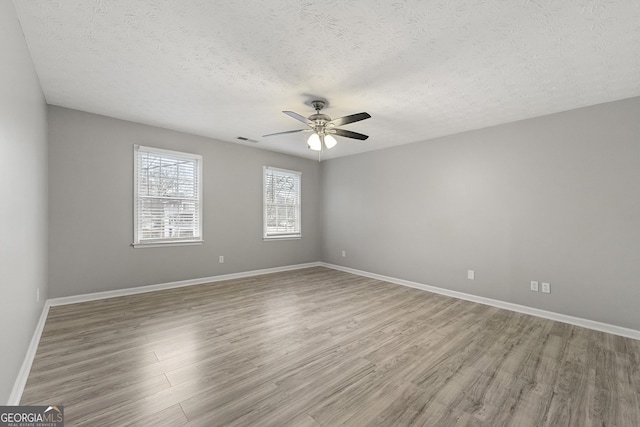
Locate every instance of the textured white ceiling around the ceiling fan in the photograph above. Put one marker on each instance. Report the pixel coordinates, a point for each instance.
(421, 68)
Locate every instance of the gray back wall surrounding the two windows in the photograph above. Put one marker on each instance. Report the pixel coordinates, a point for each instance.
(91, 207)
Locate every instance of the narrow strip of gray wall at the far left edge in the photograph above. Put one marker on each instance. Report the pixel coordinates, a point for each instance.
(23, 198)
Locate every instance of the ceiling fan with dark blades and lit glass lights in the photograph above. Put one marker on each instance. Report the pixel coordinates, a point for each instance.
(323, 127)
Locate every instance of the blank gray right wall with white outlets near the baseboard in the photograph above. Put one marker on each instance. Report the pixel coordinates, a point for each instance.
(555, 198)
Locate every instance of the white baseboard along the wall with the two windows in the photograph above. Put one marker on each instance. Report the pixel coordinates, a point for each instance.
(170, 285)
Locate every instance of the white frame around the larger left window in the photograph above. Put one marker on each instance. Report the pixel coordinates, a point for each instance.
(166, 241)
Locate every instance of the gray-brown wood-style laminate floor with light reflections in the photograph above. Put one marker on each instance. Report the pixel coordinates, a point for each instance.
(319, 347)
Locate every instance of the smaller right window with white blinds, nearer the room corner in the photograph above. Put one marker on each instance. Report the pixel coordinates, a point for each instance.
(281, 203)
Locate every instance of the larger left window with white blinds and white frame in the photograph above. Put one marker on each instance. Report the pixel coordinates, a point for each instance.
(167, 192)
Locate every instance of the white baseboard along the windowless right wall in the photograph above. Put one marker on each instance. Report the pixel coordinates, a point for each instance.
(585, 323)
